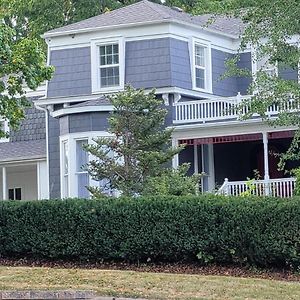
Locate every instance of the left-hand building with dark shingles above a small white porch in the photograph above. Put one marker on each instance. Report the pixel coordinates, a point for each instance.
(23, 167)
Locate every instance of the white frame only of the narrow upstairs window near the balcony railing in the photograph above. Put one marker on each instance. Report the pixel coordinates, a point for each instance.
(208, 65)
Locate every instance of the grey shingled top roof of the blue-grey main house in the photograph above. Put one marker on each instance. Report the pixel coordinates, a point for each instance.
(148, 12)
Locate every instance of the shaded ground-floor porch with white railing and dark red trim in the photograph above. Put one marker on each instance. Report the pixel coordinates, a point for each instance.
(241, 164)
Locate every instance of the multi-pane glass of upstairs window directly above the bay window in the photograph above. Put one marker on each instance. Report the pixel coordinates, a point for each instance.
(109, 65)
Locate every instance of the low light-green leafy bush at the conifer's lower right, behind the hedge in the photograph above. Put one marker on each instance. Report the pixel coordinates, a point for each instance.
(172, 182)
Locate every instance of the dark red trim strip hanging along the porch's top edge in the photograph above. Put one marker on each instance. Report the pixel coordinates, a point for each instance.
(237, 138)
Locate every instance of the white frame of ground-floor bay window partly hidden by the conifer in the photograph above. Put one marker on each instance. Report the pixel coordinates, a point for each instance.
(72, 175)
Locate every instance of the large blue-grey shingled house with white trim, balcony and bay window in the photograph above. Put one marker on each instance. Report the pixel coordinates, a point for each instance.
(183, 57)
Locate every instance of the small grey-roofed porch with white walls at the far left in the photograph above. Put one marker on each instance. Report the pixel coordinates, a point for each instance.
(23, 171)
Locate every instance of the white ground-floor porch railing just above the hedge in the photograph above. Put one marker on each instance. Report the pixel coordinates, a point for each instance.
(281, 187)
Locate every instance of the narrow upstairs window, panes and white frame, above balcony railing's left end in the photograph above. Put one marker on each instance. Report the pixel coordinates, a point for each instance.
(201, 67)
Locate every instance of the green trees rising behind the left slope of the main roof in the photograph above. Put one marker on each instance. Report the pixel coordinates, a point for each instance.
(35, 17)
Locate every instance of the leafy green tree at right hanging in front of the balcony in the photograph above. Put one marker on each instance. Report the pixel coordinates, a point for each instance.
(272, 29)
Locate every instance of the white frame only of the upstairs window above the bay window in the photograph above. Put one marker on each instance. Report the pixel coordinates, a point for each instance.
(95, 64)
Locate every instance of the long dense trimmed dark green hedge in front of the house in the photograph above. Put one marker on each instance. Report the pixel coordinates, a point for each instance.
(257, 231)
